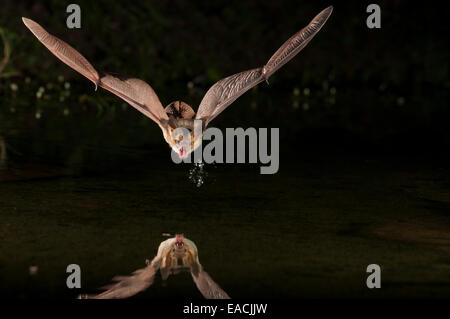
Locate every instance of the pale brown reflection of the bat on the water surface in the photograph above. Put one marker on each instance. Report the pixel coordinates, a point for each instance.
(174, 255)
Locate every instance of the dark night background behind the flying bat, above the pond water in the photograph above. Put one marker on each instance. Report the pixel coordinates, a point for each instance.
(391, 84)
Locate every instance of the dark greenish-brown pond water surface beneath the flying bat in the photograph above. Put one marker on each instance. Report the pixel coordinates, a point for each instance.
(308, 231)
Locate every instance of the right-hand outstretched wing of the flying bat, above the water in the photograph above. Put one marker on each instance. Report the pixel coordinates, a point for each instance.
(227, 90)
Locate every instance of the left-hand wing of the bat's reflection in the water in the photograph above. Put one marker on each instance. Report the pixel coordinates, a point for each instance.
(127, 286)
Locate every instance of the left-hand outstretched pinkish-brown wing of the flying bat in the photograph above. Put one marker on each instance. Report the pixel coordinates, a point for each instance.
(136, 92)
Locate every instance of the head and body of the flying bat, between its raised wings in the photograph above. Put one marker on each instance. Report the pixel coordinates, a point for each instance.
(184, 133)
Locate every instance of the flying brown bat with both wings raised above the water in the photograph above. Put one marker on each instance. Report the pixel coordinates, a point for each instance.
(179, 114)
